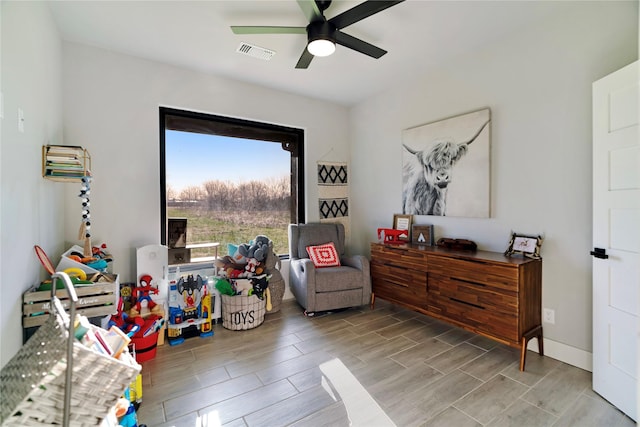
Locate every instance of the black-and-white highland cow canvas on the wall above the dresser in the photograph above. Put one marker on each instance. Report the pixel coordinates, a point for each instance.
(446, 167)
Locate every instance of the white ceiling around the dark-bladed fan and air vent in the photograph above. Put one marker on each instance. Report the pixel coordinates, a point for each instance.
(418, 34)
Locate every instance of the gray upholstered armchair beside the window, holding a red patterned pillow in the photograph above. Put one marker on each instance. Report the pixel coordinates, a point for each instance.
(327, 288)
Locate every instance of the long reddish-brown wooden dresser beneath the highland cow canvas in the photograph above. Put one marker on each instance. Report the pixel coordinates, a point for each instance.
(483, 292)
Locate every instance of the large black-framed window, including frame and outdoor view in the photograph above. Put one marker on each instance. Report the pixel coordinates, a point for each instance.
(231, 179)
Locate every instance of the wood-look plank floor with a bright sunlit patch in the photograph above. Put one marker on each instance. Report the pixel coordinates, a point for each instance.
(382, 367)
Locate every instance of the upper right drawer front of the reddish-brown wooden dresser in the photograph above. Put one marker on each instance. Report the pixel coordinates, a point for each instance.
(500, 276)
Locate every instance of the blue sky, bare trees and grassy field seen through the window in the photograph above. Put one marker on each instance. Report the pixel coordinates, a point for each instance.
(229, 189)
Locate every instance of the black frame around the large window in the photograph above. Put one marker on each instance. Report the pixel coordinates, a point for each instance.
(292, 140)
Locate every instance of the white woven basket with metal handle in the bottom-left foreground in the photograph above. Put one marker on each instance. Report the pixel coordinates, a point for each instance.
(34, 381)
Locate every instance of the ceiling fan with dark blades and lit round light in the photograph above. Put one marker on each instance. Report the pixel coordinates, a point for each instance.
(323, 34)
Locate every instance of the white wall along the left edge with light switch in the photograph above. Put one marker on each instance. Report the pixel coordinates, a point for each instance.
(32, 208)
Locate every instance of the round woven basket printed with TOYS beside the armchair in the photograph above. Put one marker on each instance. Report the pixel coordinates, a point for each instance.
(242, 312)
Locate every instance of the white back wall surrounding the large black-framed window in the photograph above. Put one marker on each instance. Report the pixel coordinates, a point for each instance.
(111, 107)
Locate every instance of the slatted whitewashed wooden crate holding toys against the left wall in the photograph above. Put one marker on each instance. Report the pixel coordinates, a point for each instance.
(100, 299)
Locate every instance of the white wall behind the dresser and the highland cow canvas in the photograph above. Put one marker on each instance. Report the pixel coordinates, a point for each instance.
(538, 85)
